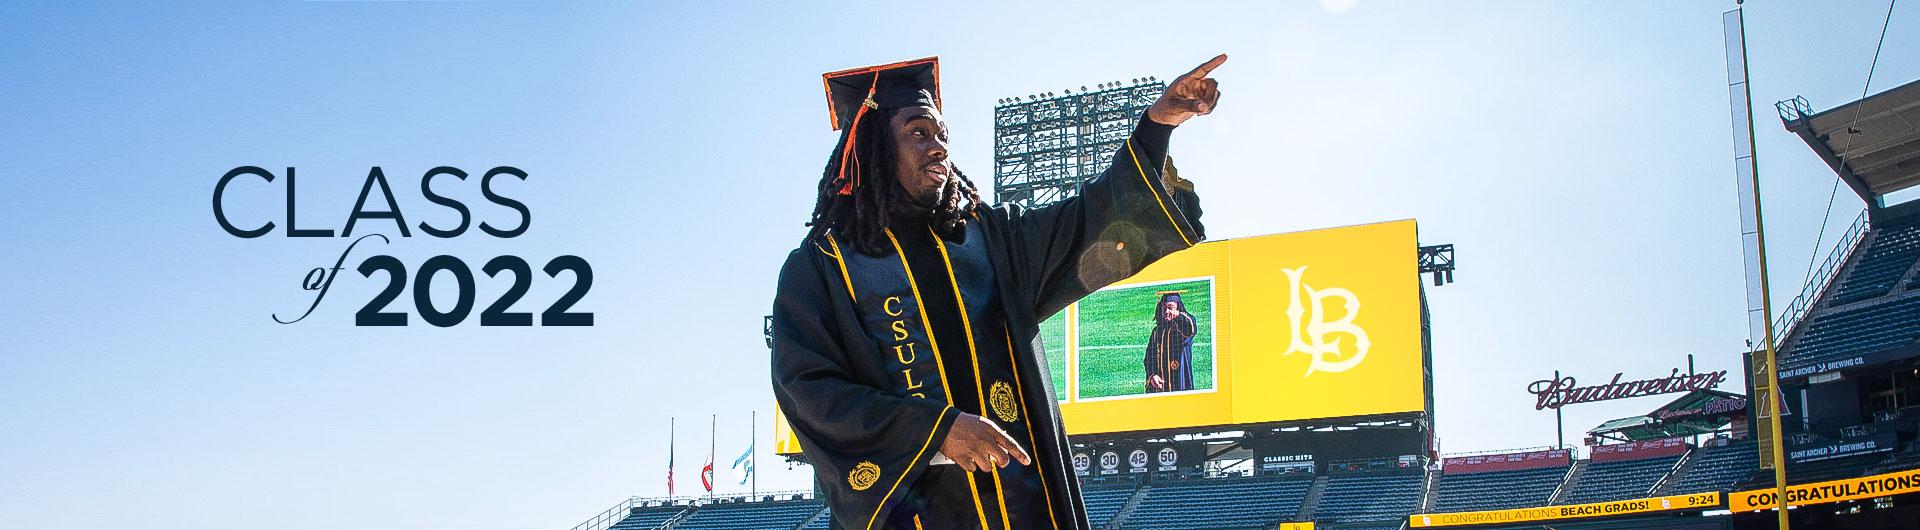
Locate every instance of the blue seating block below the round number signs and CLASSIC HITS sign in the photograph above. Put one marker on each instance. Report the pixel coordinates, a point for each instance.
(1220, 504)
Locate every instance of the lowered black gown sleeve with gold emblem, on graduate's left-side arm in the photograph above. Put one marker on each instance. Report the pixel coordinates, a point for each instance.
(867, 445)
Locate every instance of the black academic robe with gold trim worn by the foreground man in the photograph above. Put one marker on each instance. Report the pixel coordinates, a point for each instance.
(875, 358)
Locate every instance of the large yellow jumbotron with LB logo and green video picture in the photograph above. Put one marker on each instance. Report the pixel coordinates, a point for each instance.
(1303, 325)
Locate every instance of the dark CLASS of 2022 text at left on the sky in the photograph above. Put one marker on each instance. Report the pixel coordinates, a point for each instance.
(379, 312)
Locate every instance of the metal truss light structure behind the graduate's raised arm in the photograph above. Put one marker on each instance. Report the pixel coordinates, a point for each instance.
(1045, 145)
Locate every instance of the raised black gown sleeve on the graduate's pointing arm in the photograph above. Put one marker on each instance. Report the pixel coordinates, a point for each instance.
(1118, 224)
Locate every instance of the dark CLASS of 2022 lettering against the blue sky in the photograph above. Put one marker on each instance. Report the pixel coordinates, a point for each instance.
(377, 222)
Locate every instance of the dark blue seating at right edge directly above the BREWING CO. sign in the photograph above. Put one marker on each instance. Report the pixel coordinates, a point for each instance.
(1856, 333)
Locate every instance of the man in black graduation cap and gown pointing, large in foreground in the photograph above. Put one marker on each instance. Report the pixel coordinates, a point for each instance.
(907, 324)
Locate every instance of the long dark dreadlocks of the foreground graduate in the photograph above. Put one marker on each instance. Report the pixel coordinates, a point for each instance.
(863, 216)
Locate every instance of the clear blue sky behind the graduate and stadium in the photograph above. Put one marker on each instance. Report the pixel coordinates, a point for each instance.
(1579, 157)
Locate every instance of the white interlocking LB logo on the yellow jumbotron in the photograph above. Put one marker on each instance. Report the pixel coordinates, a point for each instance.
(1320, 337)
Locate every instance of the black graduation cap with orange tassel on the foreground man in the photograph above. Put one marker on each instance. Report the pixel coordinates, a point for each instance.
(852, 93)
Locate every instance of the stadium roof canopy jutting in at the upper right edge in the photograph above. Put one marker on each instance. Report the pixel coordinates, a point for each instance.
(1875, 143)
